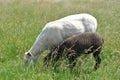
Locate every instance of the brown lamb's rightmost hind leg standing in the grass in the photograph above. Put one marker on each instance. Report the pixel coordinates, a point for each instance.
(97, 58)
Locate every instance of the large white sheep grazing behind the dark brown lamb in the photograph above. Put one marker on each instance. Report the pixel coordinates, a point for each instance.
(56, 31)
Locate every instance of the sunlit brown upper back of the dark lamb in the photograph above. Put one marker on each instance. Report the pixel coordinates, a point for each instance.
(87, 38)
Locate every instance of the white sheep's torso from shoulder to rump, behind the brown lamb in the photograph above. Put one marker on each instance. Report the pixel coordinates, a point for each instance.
(56, 31)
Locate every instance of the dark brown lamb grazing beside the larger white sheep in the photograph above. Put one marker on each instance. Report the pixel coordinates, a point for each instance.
(75, 46)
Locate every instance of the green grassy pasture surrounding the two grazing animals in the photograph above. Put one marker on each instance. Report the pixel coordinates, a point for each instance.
(22, 20)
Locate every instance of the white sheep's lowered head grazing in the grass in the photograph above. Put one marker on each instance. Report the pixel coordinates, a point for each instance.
(29, 59)
